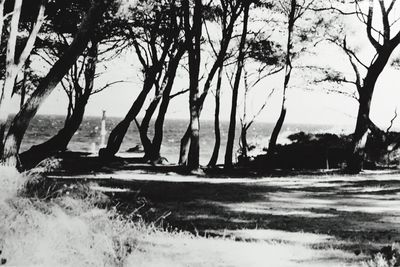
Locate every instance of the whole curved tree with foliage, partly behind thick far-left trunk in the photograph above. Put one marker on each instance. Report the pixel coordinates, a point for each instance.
(78, 83)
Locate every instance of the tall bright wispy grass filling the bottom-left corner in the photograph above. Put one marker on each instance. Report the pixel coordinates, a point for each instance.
(42, 225)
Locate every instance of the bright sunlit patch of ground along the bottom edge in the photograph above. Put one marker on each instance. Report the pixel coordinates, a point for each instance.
(189, 251)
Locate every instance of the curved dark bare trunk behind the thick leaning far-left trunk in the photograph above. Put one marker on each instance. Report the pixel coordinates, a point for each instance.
(60, 141)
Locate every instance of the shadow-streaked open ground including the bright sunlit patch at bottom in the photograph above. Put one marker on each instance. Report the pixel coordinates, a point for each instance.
(299, 220)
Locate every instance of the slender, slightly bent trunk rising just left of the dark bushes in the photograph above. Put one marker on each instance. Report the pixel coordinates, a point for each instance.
(288, 71)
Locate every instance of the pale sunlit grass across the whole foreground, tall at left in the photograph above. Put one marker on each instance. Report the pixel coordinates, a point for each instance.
(71, 225)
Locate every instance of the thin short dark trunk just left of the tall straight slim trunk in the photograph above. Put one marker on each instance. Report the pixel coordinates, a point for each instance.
(217, 131)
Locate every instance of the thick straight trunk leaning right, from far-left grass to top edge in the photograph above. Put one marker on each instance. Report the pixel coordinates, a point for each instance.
(21, 121)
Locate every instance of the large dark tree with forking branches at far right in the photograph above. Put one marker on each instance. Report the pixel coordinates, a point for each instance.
(383, 41)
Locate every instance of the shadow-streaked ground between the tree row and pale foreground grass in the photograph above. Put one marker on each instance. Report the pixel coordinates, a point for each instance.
(358, 214)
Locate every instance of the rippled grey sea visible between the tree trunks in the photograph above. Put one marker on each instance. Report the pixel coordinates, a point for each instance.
(87, 138)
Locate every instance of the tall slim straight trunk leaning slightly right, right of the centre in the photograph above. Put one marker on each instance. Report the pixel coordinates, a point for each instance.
(232, 124)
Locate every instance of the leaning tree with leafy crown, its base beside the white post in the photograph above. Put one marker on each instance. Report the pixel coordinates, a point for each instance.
(153, 34)
